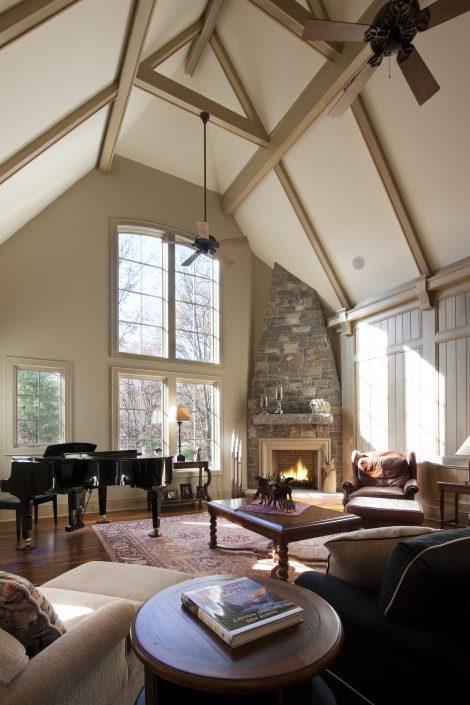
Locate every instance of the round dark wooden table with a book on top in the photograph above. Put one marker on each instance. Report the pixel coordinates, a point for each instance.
(177, 648)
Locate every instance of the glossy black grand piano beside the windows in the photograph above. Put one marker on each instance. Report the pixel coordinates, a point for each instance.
(76, 469)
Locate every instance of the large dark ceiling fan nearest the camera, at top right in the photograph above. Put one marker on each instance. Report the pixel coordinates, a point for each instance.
(391, 32)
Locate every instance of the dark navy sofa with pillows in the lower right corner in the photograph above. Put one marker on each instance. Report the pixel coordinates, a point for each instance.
(404, 602)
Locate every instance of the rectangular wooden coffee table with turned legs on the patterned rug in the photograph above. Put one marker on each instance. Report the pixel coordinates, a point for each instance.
(282, 529)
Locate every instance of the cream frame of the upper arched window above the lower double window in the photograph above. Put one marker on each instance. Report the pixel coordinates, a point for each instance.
(146, 228)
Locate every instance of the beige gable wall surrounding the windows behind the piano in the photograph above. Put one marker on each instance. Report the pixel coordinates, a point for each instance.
(55, 298)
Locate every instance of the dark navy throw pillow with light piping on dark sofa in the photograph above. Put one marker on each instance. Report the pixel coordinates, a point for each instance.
(426, 574)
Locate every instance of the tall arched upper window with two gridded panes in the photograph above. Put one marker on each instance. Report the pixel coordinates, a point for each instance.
(162, 308)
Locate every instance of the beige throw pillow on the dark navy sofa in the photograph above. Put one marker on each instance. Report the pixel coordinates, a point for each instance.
(359, 557)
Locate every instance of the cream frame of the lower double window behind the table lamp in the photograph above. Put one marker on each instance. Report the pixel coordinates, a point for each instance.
(170, 429)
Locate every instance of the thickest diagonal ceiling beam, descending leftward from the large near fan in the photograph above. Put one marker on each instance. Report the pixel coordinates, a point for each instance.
(327, 83)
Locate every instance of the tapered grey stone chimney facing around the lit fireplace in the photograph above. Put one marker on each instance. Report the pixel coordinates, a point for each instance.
(295, 353)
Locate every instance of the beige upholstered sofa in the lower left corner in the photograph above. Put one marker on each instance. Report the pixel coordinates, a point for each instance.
(93, 661)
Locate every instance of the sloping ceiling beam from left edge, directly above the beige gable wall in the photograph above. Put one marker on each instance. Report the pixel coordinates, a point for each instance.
(56, 132)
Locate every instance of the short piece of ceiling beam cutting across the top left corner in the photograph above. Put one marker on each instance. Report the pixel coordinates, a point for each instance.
(26, 16)
